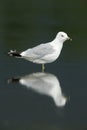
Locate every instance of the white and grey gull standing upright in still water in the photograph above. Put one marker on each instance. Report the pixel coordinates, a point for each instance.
(43, 53)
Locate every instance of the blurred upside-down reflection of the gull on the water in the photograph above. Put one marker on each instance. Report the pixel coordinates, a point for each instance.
(44, 83)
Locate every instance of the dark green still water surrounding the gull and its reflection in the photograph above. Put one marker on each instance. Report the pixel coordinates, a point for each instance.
(24, 24)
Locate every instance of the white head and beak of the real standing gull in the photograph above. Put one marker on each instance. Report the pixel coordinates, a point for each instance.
(62, 37)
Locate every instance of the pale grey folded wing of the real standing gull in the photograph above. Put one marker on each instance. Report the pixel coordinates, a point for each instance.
(39, 51)
